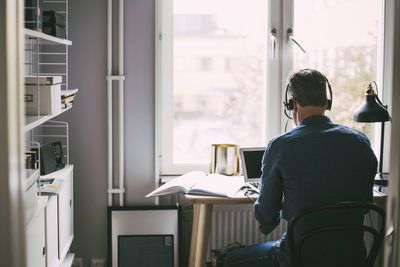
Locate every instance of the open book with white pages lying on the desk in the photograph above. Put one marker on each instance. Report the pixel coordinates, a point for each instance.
(199, 183)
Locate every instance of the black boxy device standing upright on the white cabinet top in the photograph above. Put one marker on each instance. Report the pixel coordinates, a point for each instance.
(51, 158)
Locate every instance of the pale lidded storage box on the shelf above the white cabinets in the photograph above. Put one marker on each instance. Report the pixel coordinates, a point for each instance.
(50, 99)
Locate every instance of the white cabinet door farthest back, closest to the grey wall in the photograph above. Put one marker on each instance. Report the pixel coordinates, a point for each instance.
(65, 219)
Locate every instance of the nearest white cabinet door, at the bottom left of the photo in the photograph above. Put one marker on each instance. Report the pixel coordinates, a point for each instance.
(35, 241)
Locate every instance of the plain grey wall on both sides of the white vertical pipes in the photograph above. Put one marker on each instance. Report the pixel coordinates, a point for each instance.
(88, 120)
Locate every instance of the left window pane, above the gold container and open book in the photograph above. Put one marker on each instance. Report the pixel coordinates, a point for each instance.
(219, 75)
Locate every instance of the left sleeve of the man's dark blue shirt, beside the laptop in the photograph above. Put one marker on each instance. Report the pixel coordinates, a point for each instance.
(269, 203)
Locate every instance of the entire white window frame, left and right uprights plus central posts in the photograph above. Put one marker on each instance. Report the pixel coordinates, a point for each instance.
(281, 18)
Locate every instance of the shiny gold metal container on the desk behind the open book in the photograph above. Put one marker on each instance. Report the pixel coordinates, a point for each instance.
(224, 159)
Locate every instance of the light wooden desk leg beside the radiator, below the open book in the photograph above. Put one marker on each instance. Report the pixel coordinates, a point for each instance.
(200, 234)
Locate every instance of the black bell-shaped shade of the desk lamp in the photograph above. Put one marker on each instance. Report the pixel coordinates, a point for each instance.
(372, 110)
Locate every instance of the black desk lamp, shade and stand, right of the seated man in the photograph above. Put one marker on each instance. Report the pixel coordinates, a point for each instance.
(374, 111)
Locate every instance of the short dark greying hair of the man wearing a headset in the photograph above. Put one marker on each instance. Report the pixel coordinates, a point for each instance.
(308, 87)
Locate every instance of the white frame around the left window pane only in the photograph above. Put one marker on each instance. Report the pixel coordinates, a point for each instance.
(164, 89)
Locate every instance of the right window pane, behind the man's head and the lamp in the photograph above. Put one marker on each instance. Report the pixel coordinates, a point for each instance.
(341, 38)
